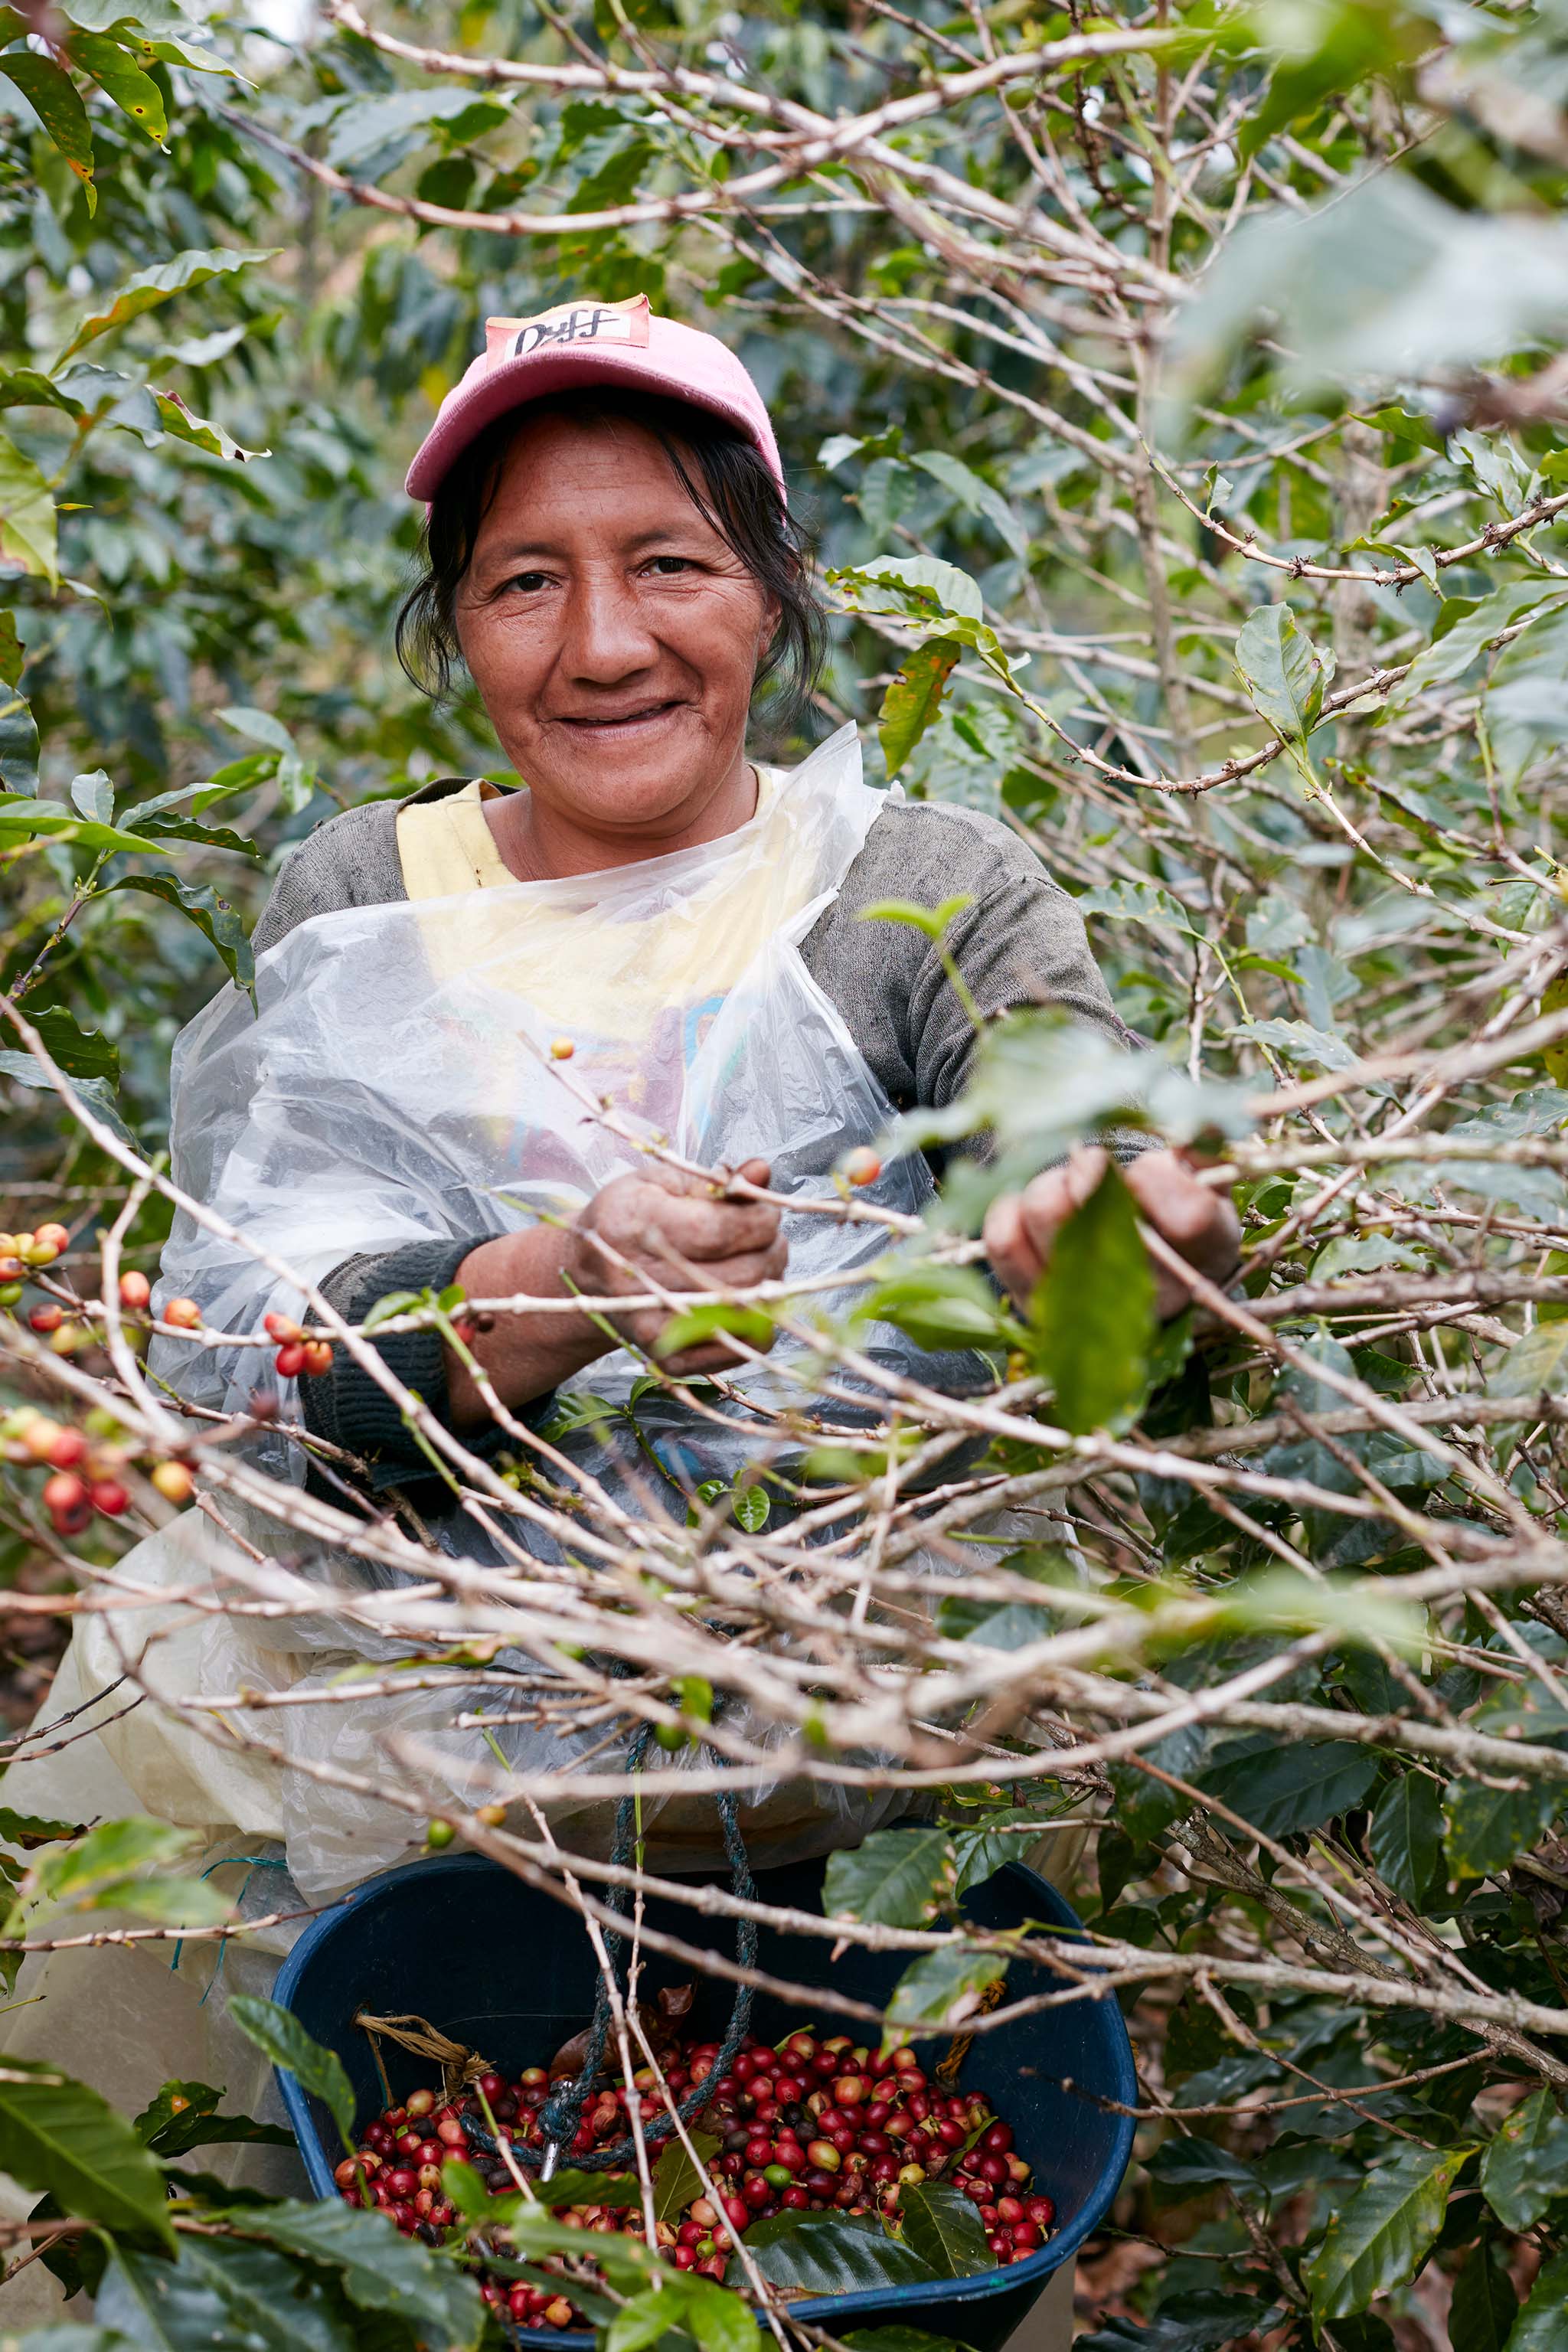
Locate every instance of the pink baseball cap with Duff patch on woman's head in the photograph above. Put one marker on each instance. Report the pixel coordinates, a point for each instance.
(584, 342)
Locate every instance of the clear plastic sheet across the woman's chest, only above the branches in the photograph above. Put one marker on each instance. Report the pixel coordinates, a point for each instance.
(396, 1081)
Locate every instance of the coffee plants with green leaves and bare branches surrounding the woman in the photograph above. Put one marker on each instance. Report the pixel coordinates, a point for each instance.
(1177, 399)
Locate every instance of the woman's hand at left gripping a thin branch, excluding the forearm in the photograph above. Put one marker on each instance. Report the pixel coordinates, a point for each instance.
(669, 1231)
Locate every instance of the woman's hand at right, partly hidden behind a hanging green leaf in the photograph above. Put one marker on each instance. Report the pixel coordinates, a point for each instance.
(1198, 1222)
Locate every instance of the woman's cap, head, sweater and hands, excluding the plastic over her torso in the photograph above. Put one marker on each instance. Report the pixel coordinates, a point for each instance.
(610, 556)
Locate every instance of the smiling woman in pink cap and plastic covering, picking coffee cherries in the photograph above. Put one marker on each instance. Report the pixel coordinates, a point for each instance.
(453, 989)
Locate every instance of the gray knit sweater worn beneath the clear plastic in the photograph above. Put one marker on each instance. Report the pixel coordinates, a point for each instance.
(1021, 942)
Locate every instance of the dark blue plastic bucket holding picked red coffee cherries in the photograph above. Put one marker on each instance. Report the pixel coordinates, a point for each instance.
(511, 1975)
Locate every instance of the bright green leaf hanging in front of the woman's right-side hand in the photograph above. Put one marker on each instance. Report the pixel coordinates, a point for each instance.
(1094, 1311)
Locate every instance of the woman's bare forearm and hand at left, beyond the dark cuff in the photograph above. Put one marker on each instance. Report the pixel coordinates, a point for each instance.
(655, 1231)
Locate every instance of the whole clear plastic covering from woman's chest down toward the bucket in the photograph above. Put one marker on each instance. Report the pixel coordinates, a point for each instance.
(394, 1085)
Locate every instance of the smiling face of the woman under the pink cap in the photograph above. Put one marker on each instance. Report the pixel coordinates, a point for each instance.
(615, 641)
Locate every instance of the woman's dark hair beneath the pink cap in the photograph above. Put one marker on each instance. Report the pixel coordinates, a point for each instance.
(730, 486)
